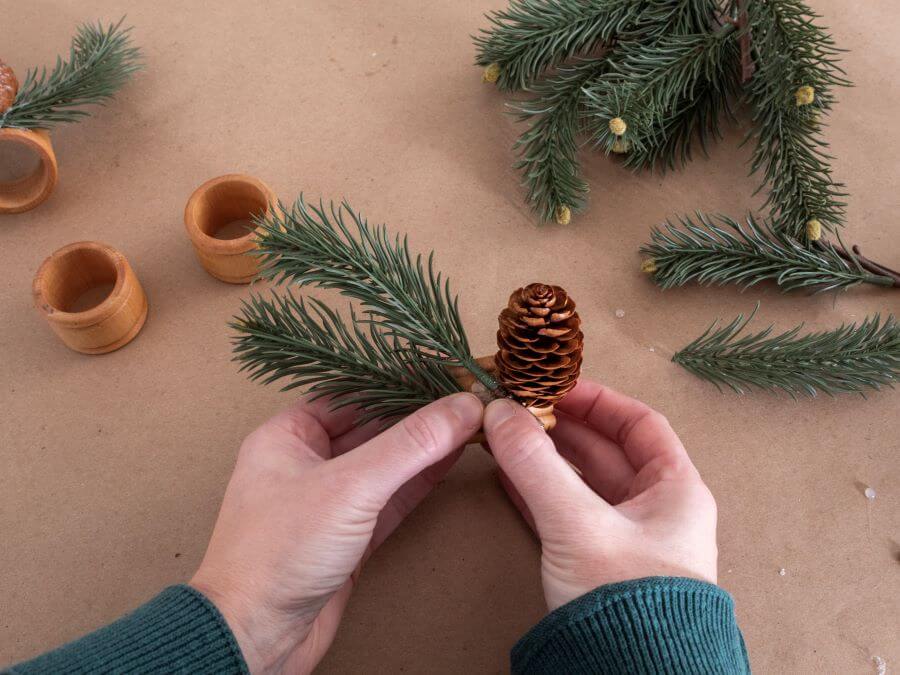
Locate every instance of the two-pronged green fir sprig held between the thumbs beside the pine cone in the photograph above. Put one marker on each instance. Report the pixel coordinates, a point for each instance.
(392, 356)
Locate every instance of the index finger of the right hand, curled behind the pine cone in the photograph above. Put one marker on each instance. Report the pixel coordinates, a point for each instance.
(642, 432)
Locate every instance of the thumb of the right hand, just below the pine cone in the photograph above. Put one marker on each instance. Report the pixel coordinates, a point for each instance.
(528, 457)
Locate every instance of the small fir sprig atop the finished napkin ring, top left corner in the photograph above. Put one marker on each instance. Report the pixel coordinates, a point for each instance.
(101, 60)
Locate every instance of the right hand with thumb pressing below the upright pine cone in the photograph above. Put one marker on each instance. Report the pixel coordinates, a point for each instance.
(638, 509)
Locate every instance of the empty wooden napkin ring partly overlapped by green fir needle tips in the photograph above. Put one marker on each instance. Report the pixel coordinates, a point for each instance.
(217, 203)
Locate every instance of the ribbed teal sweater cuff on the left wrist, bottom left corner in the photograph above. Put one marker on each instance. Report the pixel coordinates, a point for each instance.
(179, 631)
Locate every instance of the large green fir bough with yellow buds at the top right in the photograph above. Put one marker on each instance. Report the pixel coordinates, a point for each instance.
(671, 70)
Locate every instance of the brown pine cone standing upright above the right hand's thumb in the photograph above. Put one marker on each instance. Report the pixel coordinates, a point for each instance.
(540, 345)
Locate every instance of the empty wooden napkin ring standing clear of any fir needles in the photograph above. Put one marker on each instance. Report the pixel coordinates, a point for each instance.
(79, 268)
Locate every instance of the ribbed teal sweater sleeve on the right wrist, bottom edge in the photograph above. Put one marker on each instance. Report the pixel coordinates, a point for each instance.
(652, 625)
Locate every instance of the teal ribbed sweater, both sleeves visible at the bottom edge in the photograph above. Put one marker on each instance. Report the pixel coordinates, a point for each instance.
(653, 625)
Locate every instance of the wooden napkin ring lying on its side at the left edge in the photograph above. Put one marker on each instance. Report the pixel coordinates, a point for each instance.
(26, 193)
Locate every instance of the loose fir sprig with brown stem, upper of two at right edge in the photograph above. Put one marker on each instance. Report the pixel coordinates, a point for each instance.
(728, 253)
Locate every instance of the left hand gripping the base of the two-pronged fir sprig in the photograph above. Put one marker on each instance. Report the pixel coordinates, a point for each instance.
(310, 498)
